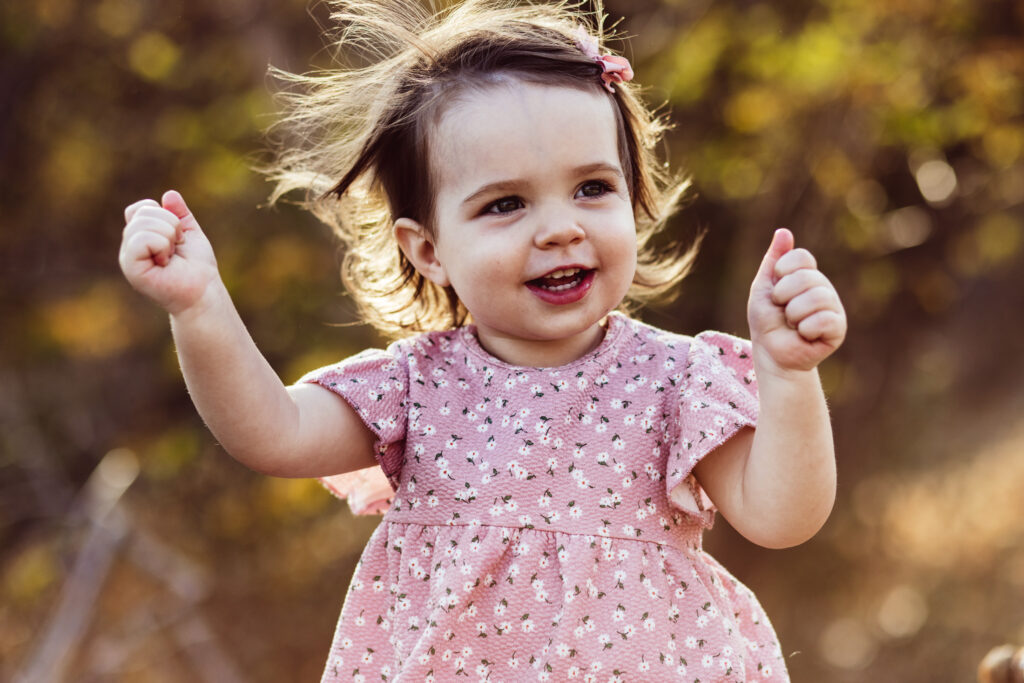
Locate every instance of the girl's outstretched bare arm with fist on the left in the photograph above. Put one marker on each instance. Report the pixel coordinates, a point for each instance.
(297, 432)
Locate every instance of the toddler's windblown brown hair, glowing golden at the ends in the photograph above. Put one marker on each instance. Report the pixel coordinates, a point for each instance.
(360, 139)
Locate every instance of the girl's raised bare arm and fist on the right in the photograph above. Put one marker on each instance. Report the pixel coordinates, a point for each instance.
(777, 485)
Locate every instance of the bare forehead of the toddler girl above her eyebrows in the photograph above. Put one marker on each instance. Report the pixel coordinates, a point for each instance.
(517, 130)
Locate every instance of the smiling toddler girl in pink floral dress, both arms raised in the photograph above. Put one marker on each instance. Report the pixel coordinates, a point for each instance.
(550, 463)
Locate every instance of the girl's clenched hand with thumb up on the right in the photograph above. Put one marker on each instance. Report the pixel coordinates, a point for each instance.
(796, 318)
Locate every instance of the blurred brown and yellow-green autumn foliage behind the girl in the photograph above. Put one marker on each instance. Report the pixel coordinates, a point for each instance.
(888, 135)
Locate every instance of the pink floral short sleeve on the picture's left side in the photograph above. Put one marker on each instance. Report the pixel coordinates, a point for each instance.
(375, 383)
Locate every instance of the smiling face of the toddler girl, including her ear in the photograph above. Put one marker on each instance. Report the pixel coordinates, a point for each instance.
(535, 229)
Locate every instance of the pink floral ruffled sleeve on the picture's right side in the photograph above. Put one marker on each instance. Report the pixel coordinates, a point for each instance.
(718, 397)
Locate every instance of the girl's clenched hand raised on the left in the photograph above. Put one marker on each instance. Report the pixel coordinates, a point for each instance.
(165, 255)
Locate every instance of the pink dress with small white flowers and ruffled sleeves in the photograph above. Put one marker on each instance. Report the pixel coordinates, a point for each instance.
(544, 524)
